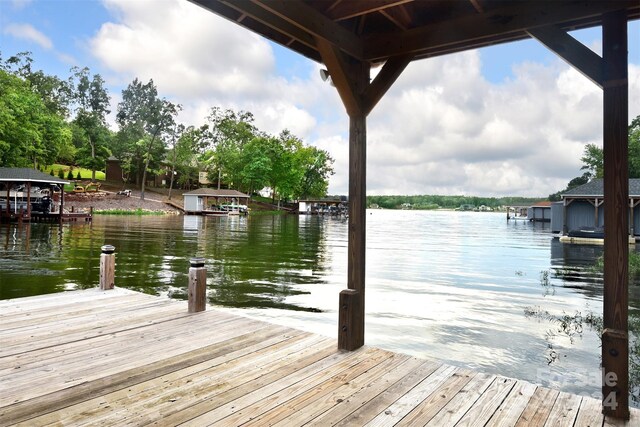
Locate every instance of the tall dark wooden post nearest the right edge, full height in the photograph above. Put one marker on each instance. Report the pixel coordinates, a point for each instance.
(615, 340)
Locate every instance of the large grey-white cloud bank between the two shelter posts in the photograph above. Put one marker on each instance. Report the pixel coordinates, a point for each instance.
(444, 129)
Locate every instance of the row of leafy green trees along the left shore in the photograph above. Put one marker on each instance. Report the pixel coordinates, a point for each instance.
(45, 119)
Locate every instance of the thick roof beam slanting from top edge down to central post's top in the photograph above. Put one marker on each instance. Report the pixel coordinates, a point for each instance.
(314, 23)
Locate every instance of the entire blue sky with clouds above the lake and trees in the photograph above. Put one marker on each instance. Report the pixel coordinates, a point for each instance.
(505, 120)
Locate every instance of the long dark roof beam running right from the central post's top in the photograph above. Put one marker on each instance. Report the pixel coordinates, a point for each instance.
(512, 19)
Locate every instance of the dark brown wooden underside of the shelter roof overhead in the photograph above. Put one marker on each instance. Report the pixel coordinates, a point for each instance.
(376, 30)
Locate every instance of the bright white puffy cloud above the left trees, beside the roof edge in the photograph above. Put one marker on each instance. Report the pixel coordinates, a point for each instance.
(208, 57)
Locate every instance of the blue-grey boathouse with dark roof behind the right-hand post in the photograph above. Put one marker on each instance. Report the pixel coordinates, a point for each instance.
(583, 207)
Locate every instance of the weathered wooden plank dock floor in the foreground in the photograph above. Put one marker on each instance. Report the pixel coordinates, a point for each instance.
(123, 358)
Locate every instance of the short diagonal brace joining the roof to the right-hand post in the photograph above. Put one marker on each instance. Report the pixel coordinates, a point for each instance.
(571, 50)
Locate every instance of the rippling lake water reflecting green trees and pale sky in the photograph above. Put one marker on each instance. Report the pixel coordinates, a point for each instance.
(459, 287)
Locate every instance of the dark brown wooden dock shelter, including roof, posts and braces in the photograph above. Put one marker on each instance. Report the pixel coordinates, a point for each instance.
(351, 36)
